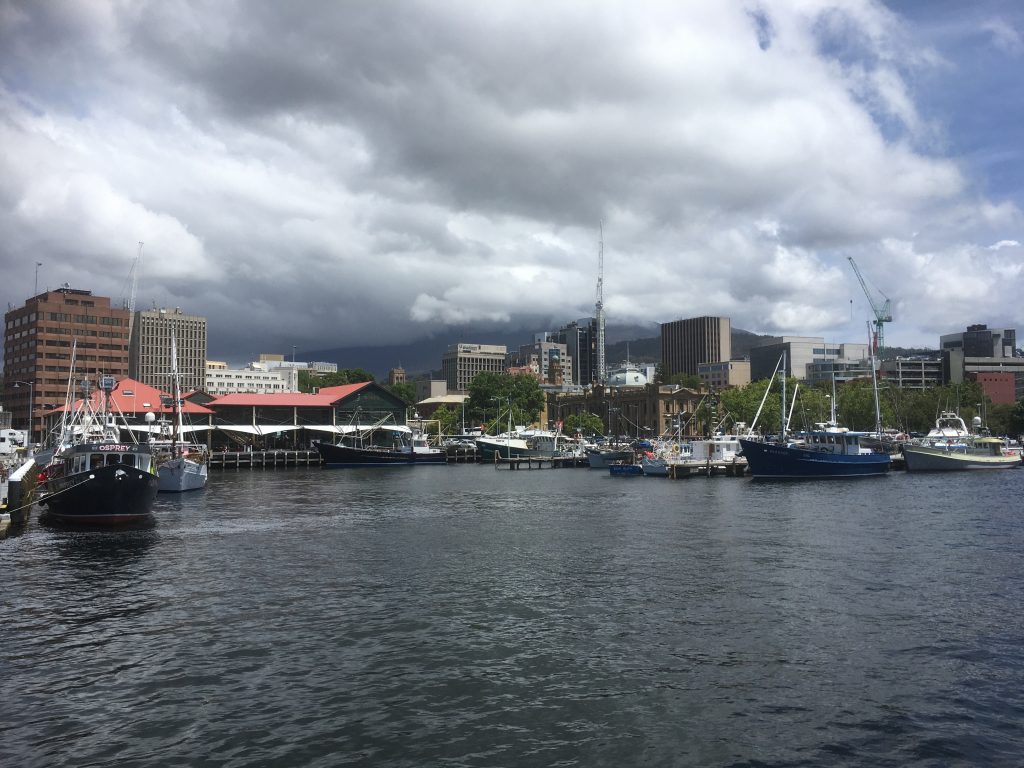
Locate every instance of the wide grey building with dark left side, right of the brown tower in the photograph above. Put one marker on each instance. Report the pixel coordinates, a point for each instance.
(802, 352)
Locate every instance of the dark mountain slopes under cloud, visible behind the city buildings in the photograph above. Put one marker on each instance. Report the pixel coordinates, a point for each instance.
(425, 356)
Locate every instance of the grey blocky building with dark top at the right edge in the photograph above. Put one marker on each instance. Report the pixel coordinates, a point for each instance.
(980, 355)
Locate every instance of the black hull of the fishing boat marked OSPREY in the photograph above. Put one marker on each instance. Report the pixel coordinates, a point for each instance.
(106, 496)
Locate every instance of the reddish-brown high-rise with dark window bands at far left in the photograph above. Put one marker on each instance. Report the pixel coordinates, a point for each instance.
(39, 342)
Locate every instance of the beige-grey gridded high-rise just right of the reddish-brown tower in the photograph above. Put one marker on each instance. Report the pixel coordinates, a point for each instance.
(150, 361)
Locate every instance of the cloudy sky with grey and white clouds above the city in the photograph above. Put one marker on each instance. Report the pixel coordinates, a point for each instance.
(344, 174)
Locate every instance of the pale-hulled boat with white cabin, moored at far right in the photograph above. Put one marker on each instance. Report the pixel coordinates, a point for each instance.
(951, 447)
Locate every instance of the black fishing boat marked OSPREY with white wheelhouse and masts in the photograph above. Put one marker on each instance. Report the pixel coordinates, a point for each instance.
(96, 478)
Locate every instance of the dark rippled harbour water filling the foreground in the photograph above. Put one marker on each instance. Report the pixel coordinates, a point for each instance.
(473, 617)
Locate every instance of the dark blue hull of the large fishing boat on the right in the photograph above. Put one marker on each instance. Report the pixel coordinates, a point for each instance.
(784, 462)
